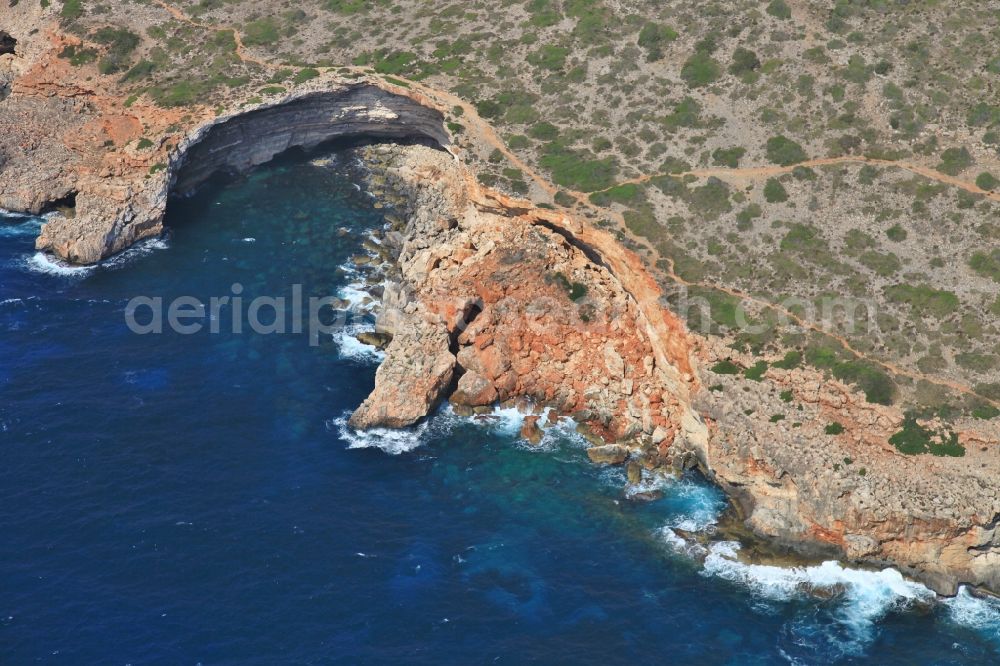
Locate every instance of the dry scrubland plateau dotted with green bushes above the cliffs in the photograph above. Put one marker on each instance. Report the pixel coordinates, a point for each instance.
(653, 118)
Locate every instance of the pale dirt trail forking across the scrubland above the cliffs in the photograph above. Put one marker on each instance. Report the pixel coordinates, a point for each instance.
(485, 134)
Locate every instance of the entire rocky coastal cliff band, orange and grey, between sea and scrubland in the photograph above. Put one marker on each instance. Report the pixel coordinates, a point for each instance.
(496, 299)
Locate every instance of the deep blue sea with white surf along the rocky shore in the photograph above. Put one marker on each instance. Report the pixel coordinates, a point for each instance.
(197, 499)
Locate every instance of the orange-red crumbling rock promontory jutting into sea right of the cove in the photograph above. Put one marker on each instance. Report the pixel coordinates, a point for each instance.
(513, 302)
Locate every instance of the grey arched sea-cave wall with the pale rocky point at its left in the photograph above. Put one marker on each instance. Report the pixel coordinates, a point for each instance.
(112, 214)
